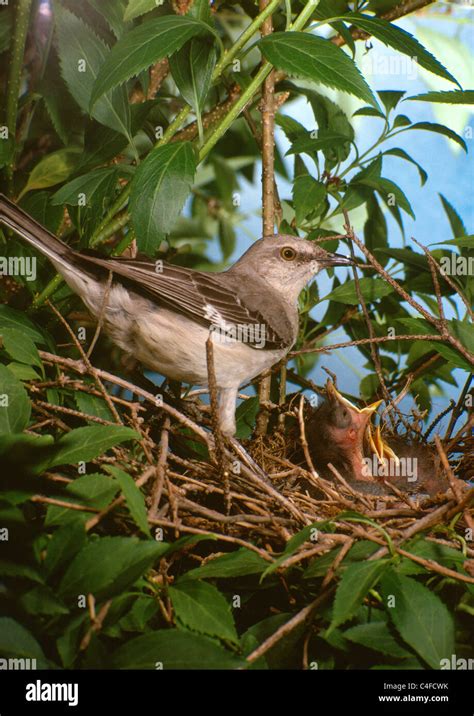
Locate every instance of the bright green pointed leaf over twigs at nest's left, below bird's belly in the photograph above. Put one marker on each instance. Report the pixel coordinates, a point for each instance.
(84, 444)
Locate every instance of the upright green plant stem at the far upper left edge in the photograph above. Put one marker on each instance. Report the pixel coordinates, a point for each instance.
(14, 78)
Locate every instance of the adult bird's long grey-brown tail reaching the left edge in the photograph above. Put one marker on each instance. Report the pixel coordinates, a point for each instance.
(47, 243)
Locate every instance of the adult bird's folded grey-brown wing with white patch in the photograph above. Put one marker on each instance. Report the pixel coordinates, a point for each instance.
(203, 297)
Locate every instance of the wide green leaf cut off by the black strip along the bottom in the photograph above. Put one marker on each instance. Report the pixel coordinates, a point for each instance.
(174, 649)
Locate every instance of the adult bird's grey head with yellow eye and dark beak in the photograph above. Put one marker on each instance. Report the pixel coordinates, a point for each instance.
(288, 262)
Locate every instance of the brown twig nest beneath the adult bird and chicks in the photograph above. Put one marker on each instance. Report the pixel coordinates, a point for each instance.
(250, 493)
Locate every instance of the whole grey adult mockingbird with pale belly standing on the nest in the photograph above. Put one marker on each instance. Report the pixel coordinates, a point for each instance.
(163, 314)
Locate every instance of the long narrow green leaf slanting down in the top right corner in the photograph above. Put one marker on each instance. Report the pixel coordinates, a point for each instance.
(401, 40)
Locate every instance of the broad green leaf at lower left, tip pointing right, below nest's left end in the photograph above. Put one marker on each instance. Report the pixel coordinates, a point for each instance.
(109, 565)
